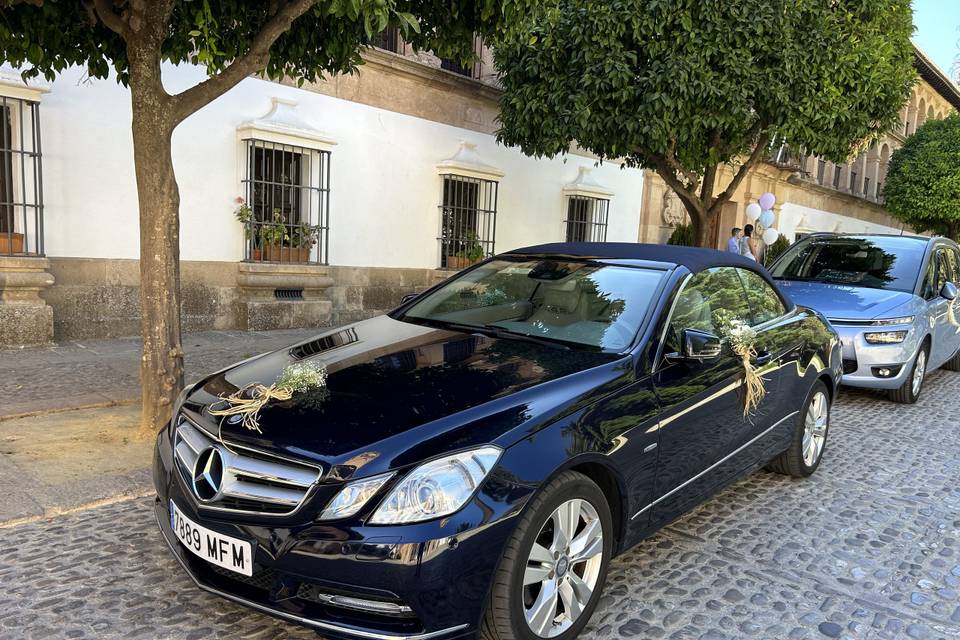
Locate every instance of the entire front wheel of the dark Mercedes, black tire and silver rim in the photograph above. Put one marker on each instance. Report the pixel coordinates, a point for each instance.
(510, 599)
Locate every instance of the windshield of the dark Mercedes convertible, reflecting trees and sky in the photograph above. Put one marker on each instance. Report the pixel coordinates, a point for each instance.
(578, 304)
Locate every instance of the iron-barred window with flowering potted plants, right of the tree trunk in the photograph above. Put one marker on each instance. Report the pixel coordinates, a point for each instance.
(288, 192)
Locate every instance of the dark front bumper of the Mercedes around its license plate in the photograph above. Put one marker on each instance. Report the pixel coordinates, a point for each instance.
(441, 570)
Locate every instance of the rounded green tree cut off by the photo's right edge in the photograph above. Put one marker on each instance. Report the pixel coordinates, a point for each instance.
(923, 179)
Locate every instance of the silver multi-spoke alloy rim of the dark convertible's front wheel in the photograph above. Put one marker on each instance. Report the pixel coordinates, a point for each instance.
(563, 568)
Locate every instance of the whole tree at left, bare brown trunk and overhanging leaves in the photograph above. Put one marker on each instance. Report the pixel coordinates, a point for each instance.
(232, 39)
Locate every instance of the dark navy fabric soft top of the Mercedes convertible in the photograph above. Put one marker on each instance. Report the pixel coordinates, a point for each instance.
(693, 258)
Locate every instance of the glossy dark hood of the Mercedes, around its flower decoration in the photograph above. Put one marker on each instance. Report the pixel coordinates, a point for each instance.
(398, 392)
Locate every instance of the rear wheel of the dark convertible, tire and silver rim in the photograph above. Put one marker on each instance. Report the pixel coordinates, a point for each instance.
(809, 441)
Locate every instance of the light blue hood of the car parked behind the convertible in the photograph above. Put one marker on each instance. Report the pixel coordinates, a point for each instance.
(838, 301)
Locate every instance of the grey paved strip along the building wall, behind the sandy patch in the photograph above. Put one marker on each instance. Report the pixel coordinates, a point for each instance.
(106, 372)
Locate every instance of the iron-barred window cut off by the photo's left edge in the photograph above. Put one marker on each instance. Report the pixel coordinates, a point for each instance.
(21, 179)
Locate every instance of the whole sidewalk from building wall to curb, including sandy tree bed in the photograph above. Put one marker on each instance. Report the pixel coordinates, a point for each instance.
(68, 414)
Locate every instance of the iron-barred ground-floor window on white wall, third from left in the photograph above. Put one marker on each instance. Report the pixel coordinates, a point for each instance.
(468, 220)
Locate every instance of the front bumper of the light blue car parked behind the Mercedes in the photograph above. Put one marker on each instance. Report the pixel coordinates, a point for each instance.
(861, 360)
